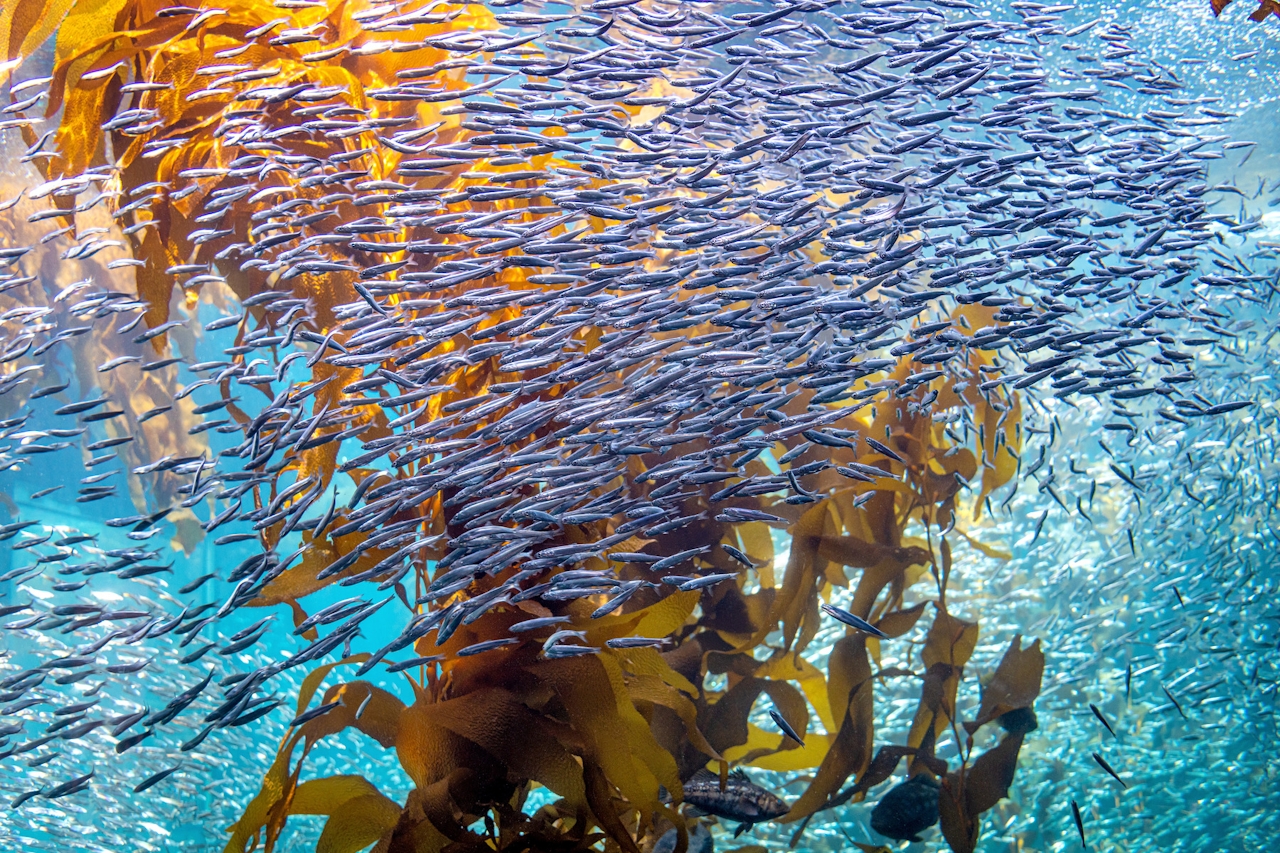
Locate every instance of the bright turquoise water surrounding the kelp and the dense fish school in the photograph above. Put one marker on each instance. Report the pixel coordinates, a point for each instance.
(1156, 608)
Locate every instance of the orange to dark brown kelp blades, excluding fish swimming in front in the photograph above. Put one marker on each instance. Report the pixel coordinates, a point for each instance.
(606, 733)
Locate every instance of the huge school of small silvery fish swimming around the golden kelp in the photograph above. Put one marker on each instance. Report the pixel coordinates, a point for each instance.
(817, 188)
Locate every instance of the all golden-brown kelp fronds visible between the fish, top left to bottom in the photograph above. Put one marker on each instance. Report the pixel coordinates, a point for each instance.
(612, 735)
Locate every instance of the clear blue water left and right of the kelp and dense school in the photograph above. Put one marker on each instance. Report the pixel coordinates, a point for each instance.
(1095, 599)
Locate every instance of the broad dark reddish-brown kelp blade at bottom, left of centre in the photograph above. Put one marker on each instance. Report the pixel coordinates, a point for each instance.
(497, 722)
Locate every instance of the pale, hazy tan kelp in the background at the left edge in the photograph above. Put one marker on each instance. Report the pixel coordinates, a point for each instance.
(106, 358)
